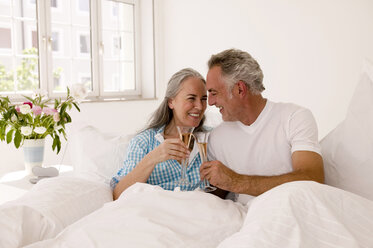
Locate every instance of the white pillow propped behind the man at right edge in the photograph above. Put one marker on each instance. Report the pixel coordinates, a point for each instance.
(347, 150)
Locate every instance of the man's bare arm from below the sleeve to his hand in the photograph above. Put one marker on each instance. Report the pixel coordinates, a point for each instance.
(307, 165)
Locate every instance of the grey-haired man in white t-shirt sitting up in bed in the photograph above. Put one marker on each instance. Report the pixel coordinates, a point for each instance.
(260, 144)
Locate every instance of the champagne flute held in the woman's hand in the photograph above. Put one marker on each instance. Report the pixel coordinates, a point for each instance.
(186, 134)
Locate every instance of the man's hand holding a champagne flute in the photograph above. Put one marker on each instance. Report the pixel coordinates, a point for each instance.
(218, 175)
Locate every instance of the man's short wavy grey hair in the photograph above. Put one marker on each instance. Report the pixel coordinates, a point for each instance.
(237, 65)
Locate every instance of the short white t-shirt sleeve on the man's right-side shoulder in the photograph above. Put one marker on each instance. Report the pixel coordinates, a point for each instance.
(303, 133)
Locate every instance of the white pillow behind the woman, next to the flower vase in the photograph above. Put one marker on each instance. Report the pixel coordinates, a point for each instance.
(97, 155)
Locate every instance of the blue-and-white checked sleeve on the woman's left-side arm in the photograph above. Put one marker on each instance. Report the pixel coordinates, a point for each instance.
(137, 149)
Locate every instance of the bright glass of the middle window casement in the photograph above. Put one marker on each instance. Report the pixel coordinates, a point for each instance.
(71, 44)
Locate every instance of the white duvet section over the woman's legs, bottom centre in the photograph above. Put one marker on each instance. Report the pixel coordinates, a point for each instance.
(148, 216)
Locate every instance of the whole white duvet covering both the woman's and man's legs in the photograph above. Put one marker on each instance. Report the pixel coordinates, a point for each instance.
(297, 214)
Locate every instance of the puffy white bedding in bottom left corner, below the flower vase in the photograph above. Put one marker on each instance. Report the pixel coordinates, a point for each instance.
(50, 206)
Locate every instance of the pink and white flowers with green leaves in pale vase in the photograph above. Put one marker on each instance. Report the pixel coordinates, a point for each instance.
(27, 124)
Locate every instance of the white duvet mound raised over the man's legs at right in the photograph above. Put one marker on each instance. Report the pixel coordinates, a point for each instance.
(306, 214)
